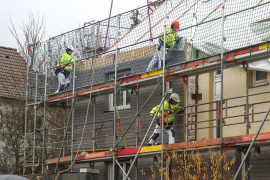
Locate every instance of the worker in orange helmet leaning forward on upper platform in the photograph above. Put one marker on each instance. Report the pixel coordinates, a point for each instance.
(171, 40)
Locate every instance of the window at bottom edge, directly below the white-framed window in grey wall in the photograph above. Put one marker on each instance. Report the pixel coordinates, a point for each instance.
(119, 175)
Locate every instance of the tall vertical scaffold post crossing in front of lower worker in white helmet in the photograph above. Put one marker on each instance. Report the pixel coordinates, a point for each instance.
(163, 88)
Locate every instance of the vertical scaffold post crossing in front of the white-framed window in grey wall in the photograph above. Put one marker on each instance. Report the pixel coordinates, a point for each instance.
(115, 93)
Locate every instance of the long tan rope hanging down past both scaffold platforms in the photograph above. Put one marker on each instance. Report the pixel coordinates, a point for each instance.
(88, 106)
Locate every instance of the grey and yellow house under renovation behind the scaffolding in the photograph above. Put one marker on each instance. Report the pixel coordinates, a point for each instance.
(223, 107)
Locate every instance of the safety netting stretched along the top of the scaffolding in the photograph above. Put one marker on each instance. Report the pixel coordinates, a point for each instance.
(246, 23)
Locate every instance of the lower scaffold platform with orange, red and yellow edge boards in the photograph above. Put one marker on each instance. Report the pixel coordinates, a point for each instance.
(234, 141)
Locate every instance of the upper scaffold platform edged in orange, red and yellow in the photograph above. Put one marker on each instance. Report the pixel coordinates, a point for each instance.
(188, 68)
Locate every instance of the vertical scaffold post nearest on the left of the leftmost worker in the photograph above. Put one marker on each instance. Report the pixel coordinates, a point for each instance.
(44, 116)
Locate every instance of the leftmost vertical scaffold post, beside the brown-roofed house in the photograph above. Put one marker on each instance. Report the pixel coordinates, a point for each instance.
(26, 109)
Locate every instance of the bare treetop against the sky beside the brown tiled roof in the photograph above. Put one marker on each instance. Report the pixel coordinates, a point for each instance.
(33, 31)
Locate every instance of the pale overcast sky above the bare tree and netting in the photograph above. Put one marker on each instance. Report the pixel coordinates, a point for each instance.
(60, 15)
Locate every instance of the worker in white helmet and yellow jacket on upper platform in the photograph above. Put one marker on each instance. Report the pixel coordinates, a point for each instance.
(63, 69)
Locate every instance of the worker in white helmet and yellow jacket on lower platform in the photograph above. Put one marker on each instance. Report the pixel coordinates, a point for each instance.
(171, 107)
